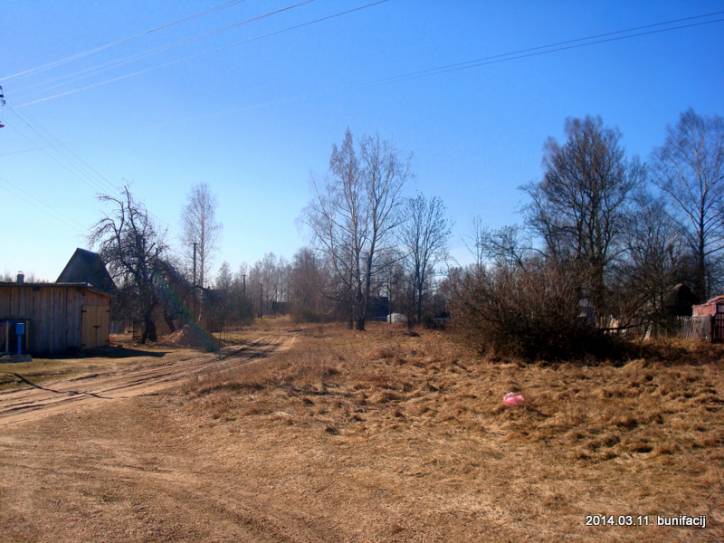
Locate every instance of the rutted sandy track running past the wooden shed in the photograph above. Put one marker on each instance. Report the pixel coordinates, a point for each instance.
(31, 401)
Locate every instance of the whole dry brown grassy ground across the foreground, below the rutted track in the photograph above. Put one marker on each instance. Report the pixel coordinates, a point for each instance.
(318, 433)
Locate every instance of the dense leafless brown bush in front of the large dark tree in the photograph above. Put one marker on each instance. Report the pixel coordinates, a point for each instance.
(532, 311)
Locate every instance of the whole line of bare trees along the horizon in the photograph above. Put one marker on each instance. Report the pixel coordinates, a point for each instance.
(620, 232)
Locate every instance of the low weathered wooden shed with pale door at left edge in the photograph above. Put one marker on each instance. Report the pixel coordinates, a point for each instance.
(52, 318)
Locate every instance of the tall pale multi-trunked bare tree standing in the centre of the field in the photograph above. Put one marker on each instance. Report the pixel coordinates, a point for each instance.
(353, 215)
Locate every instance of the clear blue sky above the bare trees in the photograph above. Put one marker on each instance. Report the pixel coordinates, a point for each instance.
(256, 119)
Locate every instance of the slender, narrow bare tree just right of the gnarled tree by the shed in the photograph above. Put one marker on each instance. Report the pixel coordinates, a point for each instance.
(200, 230)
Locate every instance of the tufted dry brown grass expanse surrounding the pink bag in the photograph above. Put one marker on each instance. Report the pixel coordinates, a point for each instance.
(417, 423)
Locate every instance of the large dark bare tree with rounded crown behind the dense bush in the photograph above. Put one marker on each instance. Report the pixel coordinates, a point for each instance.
(580, 205)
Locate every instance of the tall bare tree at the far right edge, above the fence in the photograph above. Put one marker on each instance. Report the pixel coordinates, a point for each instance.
(689, 168)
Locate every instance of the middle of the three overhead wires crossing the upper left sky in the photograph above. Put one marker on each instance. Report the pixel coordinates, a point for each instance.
(122, 61)
